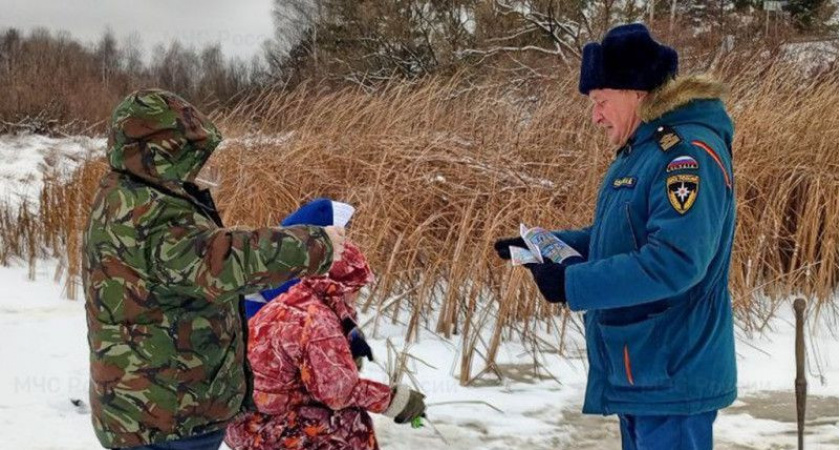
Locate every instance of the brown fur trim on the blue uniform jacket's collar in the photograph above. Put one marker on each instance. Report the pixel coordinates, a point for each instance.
(679, 92)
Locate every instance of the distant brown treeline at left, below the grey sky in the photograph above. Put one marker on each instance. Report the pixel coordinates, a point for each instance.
(51, 83)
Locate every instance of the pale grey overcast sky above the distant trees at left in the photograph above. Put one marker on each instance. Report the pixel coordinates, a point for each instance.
(240, 26)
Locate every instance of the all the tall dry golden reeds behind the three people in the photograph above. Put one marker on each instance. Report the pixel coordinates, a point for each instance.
(440, 170)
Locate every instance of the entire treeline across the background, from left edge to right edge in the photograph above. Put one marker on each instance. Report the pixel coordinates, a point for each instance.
(51, 83)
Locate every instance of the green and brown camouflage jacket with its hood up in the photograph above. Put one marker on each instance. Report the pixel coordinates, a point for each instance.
(163, 280)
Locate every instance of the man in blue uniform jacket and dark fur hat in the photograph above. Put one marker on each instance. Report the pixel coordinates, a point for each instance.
(654, 274)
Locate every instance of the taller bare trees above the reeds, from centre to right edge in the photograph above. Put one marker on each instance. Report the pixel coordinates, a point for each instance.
(375, 40)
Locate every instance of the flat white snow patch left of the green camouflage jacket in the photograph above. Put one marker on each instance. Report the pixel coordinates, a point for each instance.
(44, 355)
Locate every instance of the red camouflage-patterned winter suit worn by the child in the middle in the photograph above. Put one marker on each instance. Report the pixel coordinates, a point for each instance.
(306, 386)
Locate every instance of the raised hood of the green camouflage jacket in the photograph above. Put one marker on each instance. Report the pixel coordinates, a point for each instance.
(160, 137)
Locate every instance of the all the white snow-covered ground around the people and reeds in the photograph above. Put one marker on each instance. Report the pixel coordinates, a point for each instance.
(44, 375)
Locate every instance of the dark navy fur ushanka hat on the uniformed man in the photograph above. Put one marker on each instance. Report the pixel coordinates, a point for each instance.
(627, 58)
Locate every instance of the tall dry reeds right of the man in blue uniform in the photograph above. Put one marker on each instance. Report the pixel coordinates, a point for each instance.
(787, 174)
